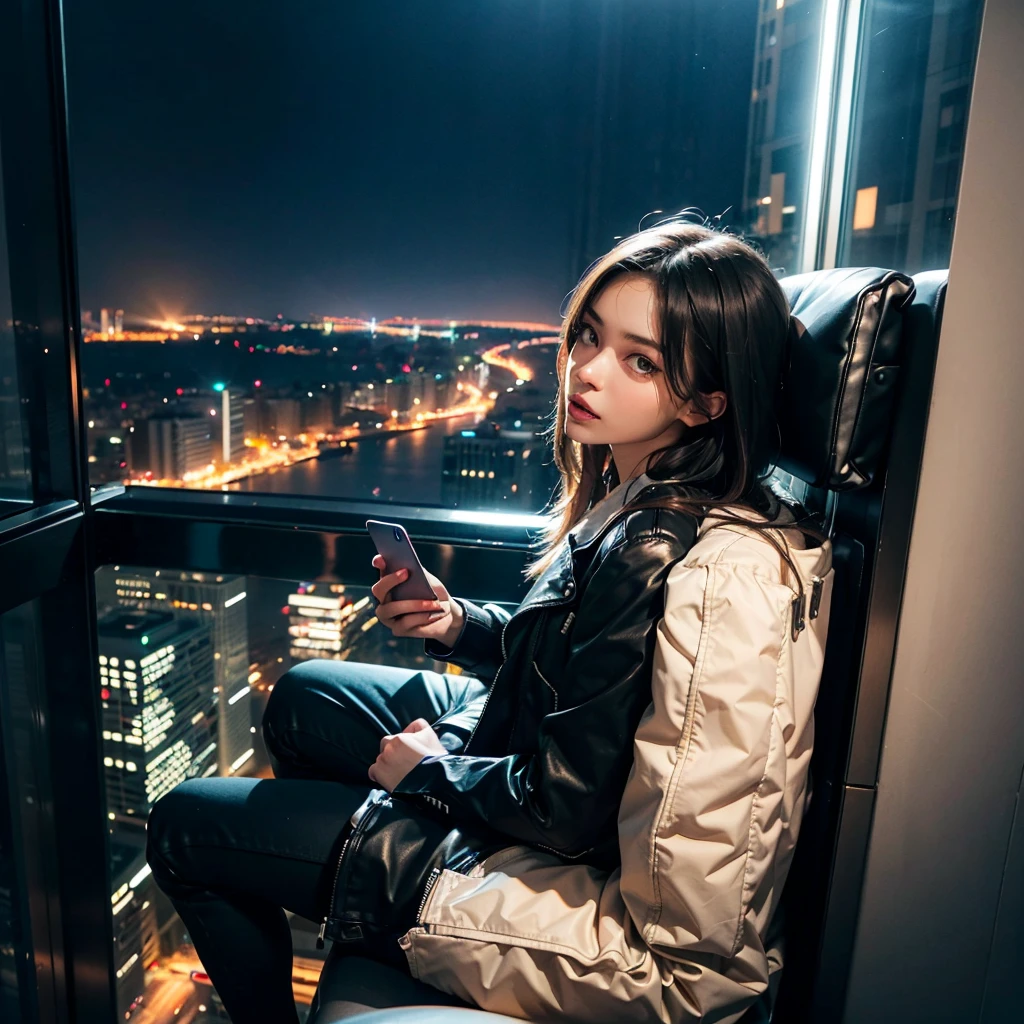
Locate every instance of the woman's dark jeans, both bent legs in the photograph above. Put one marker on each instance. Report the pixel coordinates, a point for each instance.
(233, 855)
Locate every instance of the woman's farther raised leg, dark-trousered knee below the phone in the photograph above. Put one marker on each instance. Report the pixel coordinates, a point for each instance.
(326, 719)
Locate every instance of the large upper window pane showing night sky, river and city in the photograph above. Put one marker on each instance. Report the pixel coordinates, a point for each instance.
(339, 272)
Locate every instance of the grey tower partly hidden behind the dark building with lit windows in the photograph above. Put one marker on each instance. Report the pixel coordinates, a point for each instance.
(220, 603)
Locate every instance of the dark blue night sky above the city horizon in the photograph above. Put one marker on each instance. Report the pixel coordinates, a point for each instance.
(433, 158)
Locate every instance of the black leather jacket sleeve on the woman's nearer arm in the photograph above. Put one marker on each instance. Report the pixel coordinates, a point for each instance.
(565, 795)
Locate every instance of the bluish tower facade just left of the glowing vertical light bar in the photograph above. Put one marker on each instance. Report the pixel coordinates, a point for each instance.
(779, 141)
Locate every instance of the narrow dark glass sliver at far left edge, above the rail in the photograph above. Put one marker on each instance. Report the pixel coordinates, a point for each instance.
(16, 485)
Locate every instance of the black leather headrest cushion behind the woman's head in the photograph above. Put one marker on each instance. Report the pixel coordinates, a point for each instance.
(838, 392)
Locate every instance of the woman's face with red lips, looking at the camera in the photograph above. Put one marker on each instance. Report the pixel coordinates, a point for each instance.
(616, 367)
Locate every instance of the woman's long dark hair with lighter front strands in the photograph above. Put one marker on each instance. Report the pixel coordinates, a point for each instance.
(723, 326)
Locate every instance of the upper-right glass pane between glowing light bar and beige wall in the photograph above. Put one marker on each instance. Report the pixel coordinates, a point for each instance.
(909, 137)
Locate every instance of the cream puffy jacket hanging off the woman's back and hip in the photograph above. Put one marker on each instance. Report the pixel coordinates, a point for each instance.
(707, 826)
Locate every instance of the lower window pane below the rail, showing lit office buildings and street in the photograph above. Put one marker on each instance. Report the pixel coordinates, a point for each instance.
(187, 664)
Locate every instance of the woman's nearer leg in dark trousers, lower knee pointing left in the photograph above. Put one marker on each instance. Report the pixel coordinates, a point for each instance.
(231, 855)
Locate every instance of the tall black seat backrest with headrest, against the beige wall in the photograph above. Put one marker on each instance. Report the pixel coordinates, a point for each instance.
(852, 417)
